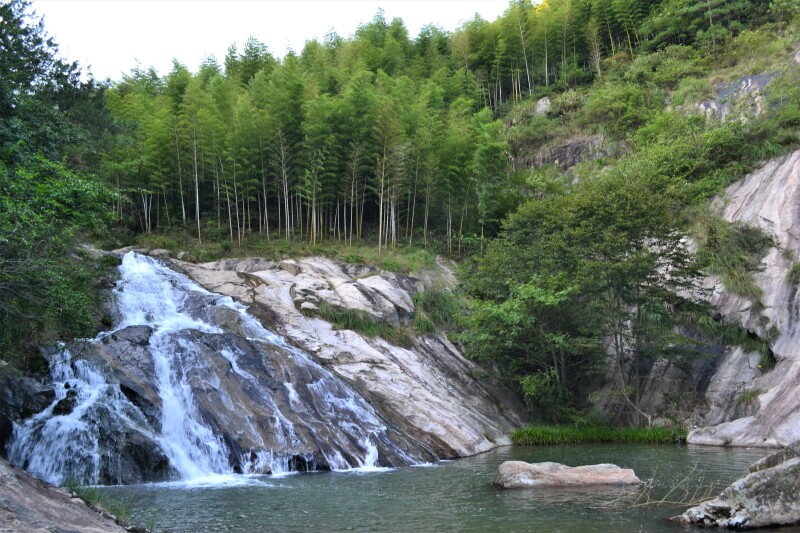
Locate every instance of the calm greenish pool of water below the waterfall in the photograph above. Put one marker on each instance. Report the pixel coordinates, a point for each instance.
(449, 496)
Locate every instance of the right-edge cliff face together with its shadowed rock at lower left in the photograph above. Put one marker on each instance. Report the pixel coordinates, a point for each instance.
(733, 399)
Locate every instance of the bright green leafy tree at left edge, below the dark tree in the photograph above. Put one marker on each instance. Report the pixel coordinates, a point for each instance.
(48, 287)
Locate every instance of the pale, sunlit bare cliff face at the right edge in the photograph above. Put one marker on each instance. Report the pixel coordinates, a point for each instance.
(770, 199)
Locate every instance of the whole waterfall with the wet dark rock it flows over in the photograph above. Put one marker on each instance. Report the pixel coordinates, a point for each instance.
(215, 394)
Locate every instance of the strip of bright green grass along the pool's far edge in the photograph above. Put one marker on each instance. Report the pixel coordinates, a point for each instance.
(553, 435)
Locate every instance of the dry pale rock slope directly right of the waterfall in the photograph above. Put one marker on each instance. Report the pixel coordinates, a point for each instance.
(427, 391)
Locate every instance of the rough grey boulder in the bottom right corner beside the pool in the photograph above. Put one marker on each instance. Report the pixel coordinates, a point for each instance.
(767, 496)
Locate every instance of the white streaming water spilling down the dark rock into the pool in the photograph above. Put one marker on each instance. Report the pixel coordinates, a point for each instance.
(331, 417)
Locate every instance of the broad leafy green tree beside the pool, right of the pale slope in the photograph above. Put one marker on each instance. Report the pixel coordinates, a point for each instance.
(608, 268)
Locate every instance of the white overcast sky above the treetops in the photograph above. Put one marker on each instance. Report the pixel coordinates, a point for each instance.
(114, 36)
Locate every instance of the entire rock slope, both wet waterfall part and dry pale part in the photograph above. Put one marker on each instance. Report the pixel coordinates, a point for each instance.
(190, 385)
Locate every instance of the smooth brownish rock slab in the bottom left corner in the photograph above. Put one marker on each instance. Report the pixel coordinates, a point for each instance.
(28, 504)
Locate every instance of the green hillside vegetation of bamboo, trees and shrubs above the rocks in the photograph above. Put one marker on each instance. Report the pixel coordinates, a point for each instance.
(560, 153)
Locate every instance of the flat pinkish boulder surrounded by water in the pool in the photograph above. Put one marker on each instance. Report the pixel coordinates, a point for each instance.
(519, 474)
